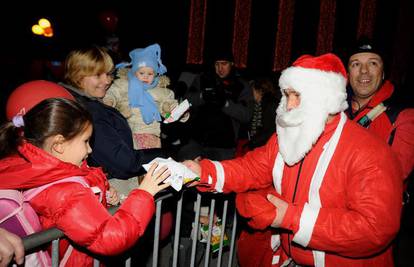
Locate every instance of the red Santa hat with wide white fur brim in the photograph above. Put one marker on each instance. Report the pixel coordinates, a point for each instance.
(321, 78)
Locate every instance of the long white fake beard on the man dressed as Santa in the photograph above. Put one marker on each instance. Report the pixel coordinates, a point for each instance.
(298, 130)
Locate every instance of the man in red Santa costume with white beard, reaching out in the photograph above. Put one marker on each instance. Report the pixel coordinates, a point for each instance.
(337, 193)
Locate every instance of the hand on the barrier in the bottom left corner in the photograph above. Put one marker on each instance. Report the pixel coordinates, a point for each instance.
(10, 245)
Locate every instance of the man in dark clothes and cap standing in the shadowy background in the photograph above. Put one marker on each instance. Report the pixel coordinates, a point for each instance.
(222, 102)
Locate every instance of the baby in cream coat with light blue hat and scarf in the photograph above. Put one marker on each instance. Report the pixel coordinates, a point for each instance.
(142, 96)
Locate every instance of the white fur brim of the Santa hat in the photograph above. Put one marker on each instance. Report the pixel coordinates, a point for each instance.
(328, 88)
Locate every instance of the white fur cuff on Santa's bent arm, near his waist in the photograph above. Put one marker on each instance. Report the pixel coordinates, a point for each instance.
(306, 225)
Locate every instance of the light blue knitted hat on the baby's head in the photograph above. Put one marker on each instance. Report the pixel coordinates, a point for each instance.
(147, 57)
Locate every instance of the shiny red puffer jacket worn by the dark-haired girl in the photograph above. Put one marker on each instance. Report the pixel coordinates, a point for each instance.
(75, 209)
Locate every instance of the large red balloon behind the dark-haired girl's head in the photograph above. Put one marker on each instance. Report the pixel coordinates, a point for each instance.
(27, 95)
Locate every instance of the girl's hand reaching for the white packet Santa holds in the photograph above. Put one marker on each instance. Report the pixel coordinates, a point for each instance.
(152, 182)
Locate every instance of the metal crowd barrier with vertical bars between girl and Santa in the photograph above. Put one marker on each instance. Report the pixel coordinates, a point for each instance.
(37, 240)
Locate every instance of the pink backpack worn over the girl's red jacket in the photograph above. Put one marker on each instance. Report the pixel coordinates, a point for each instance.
(18, 217)
